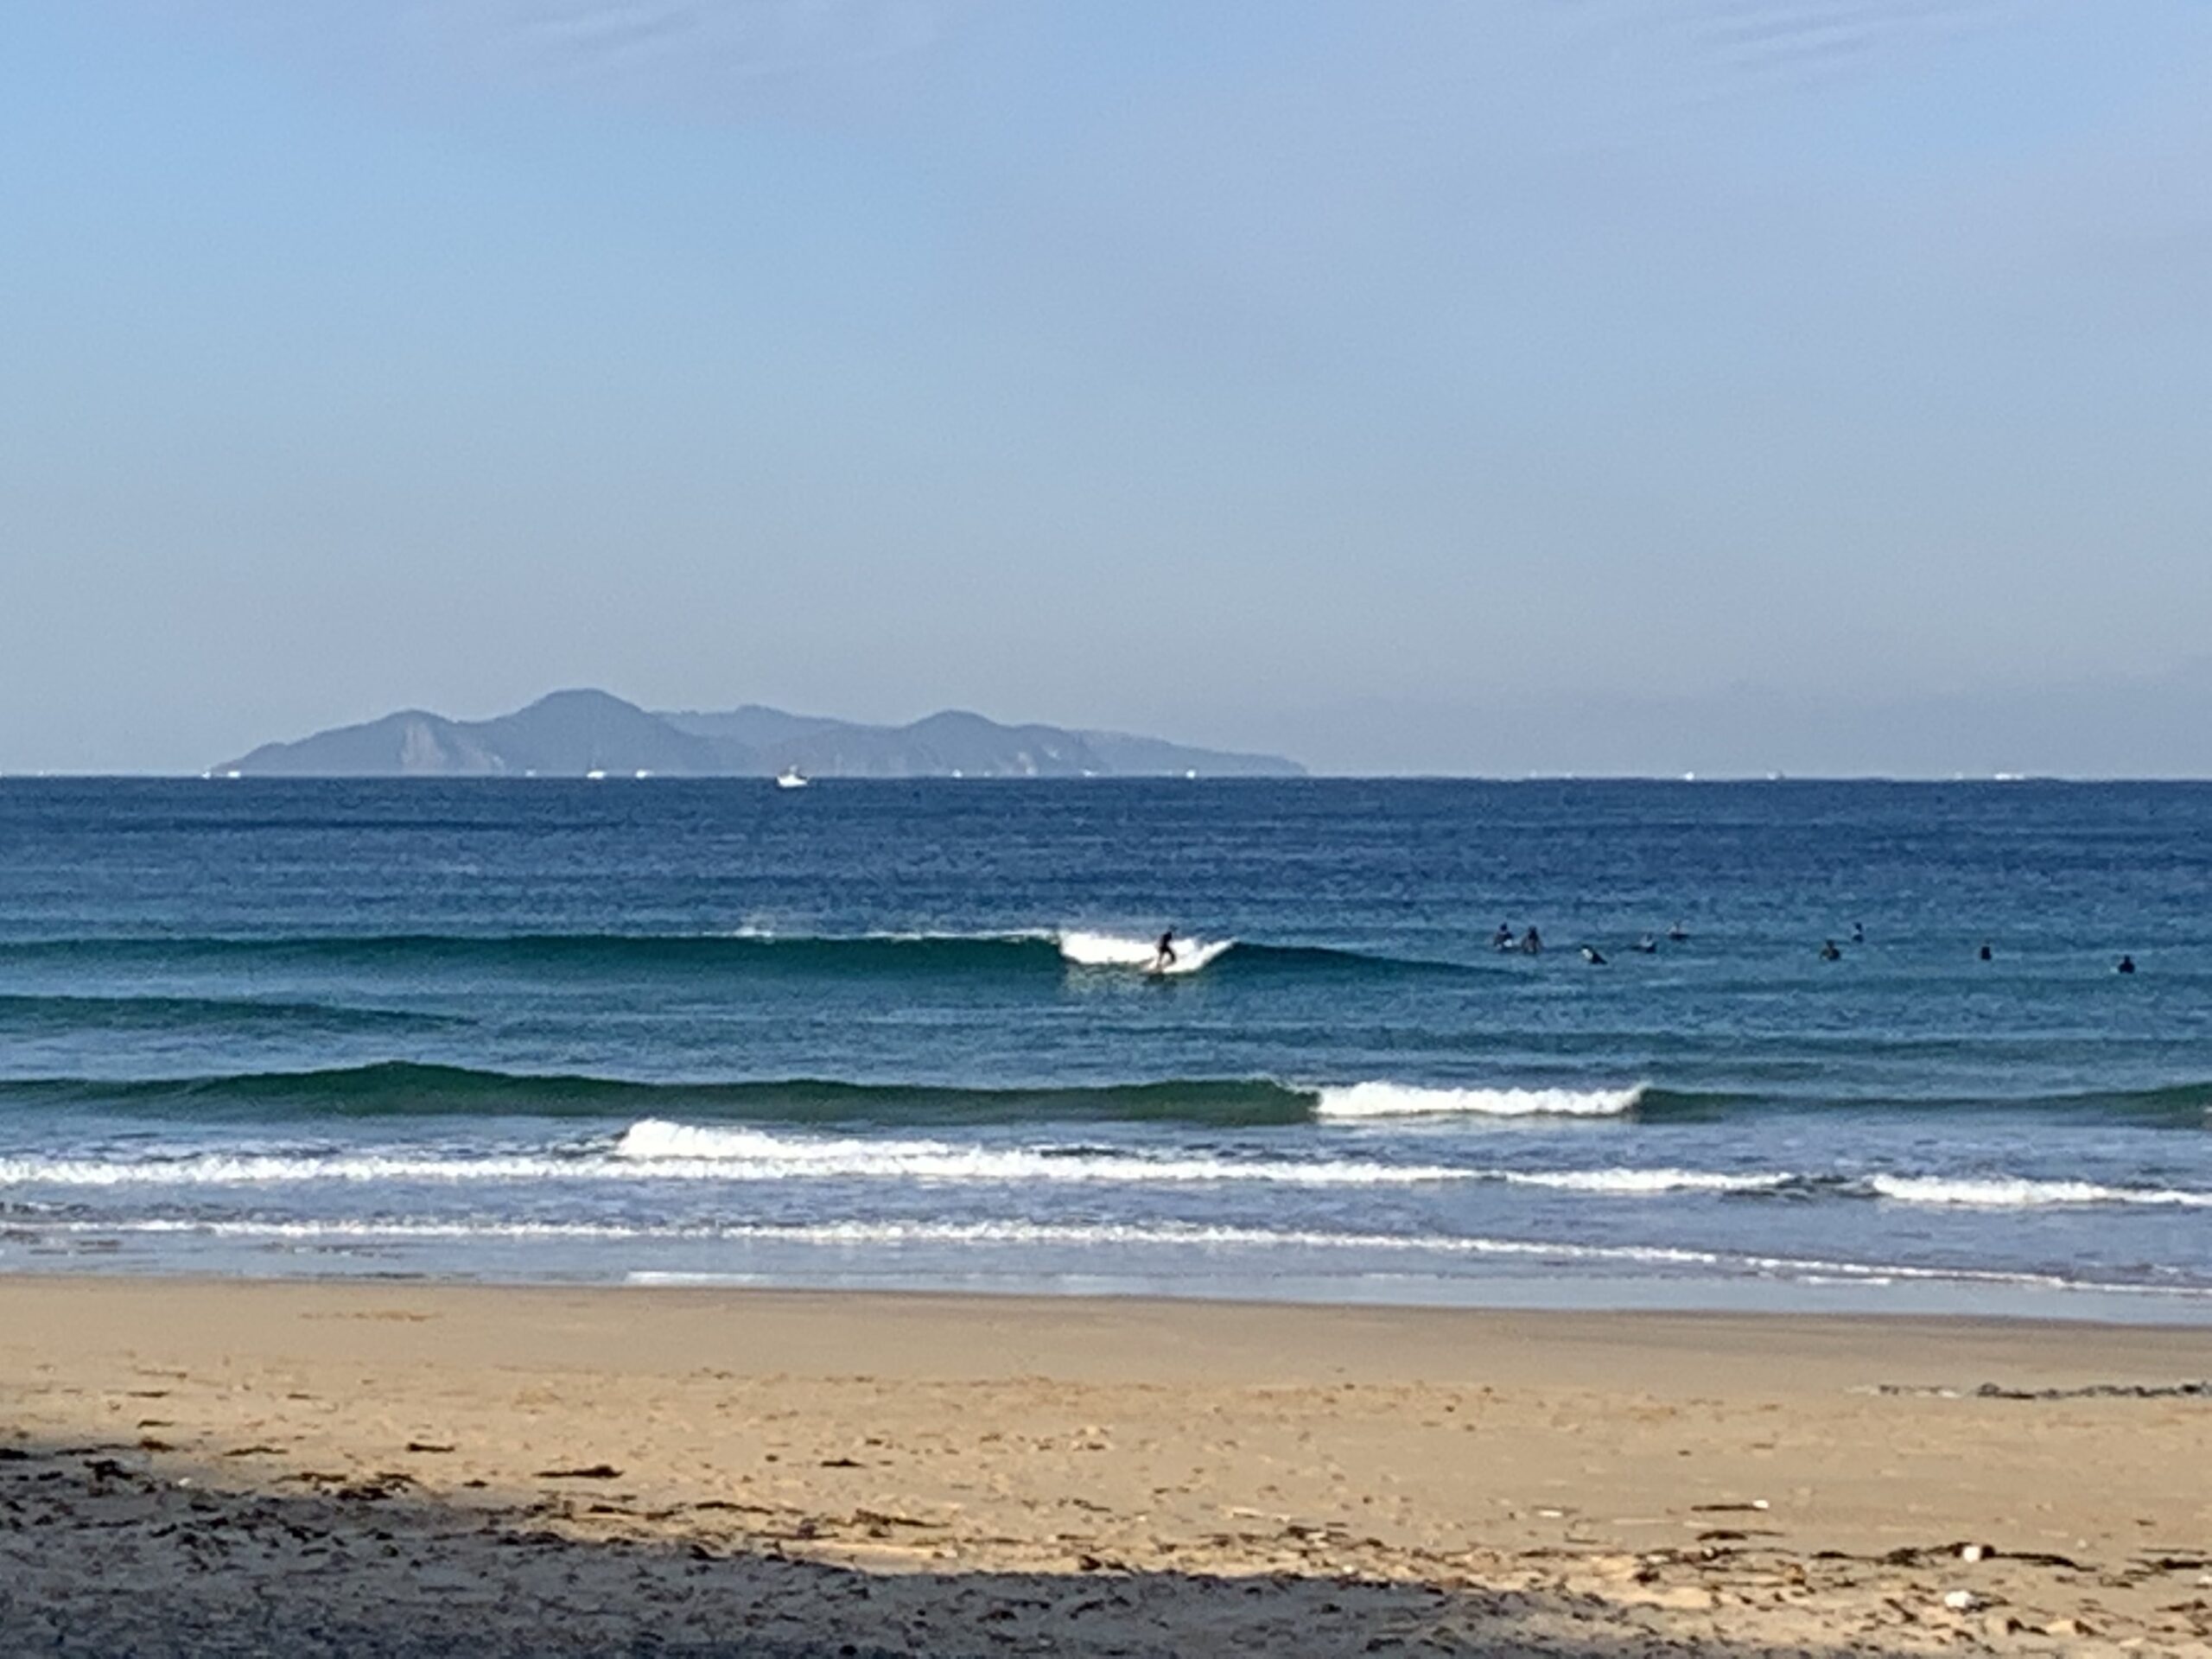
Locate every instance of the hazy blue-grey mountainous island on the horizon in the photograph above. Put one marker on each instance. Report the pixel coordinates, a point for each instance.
(585, 733)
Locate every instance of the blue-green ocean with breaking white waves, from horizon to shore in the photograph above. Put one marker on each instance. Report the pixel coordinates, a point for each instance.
(899, 1036)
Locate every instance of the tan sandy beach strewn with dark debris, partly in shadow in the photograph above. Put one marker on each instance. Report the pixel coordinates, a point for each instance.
(382, 1470)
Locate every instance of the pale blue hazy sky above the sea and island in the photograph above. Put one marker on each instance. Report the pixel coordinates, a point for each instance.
(1346, 377)
